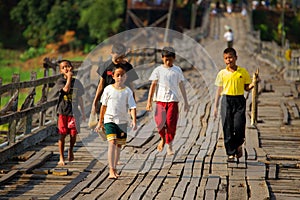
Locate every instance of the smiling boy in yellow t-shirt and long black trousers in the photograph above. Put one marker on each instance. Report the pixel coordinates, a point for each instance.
(231, 82)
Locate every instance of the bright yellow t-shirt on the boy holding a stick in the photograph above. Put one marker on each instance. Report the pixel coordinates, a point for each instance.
(233, 82)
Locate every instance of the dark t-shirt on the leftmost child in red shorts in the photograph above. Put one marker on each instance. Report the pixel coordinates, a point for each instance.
(68, 102)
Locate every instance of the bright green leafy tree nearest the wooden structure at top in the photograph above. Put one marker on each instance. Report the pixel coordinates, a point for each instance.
(102, 18)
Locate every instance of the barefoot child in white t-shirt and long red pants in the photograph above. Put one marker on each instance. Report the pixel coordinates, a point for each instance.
(168, 78)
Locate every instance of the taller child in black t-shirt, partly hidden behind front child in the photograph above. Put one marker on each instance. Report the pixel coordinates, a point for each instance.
(118, 53)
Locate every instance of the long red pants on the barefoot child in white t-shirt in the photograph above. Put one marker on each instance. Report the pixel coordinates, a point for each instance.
(166, 117)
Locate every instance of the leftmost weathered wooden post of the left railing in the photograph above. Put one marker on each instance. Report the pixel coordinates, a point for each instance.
(11, 137)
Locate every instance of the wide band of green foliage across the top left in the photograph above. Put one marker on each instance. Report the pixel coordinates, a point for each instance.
(44, 22)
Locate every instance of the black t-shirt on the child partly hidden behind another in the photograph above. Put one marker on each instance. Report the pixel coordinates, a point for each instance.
(105, 72)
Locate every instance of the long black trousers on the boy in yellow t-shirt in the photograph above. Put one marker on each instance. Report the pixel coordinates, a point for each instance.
(234, 122)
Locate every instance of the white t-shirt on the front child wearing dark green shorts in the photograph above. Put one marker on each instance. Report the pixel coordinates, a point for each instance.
(118, 102)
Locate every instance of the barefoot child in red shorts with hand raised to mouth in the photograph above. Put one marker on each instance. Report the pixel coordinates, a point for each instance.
(71, 91)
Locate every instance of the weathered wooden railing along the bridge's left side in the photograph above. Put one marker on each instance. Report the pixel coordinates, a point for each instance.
(34, 115)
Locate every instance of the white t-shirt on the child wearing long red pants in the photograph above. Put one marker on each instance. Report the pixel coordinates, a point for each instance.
(168, 79)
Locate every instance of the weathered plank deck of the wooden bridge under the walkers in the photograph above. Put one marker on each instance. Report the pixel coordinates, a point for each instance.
(269, 168)
